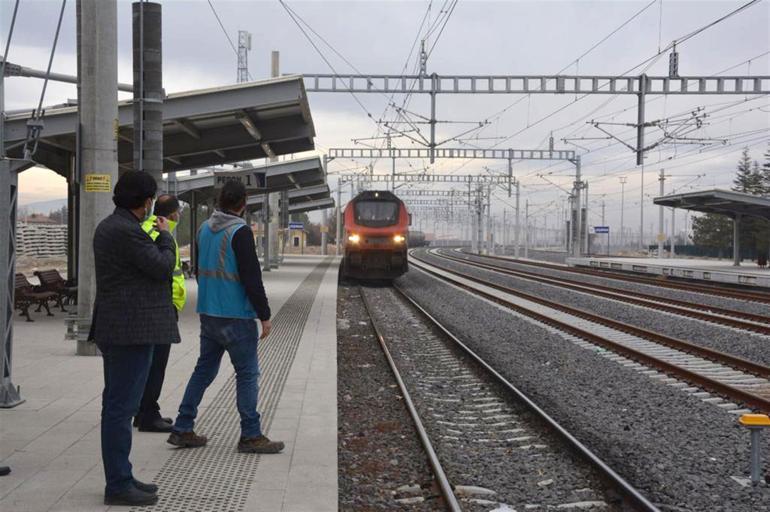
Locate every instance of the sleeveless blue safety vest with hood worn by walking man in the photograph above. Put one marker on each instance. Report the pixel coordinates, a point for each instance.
(220, 292)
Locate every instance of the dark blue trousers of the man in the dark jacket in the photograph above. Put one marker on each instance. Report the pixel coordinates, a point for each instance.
(125, 374)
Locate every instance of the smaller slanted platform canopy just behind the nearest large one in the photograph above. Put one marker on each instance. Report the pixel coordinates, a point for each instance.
(293, 175)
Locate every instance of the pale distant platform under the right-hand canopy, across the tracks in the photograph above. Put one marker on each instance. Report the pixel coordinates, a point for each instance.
(717, 271)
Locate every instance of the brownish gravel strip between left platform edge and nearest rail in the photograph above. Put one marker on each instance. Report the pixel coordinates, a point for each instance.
(381, 460)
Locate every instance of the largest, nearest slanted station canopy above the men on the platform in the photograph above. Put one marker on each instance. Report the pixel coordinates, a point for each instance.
(201, 128)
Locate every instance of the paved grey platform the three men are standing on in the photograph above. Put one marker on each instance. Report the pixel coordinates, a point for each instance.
(52, 441)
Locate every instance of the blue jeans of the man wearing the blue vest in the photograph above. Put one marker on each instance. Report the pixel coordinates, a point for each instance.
(238, 337)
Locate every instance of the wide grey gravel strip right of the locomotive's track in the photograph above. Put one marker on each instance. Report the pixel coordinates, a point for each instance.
(680, 451)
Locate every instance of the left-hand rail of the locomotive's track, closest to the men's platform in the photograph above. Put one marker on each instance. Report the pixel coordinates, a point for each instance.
(438, 471)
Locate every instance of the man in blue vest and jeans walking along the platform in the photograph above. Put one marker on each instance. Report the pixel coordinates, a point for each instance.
(230, 297)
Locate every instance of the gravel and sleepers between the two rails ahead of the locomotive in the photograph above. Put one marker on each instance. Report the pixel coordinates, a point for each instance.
(484, 439)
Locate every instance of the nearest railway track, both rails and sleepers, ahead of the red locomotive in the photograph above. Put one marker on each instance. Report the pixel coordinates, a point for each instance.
(476, 412)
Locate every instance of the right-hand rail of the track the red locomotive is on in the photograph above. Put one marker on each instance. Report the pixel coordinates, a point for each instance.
(626, 489)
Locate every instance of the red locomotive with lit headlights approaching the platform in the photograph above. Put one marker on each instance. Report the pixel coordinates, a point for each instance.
(376, 227)
